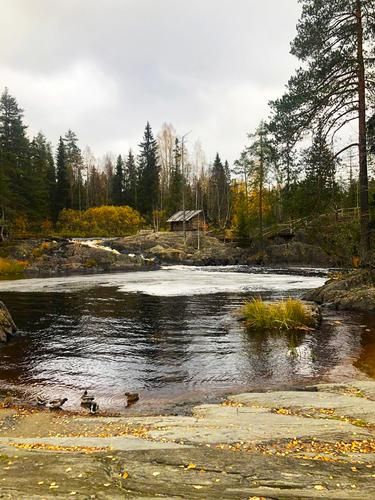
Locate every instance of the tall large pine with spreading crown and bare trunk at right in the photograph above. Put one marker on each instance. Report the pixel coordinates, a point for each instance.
(329, 90)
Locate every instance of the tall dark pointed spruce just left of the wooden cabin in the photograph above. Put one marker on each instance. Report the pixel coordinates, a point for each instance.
(148, 199)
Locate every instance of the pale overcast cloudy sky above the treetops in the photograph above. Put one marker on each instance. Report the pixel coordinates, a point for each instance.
(103, 68)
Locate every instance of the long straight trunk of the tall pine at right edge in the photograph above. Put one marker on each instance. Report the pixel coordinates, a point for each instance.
(363, 178)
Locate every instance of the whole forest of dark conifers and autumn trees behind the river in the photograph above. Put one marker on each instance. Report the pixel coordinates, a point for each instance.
(310, 158)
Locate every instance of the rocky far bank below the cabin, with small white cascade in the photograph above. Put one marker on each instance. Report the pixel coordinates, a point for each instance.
(149, 250)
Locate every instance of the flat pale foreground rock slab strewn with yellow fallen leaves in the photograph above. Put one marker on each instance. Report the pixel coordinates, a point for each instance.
(313, 443)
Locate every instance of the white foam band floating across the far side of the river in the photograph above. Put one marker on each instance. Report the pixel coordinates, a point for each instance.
(170, 281)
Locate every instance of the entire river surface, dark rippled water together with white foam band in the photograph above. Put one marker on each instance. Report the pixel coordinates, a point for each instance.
(170, 335)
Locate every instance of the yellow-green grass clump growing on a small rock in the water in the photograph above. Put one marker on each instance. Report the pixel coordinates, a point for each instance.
(289, 314)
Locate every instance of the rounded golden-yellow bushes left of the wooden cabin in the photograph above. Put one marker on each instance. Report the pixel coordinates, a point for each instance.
(99, 221)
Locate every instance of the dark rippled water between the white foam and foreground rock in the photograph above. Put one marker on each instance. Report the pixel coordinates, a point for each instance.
(169, 348)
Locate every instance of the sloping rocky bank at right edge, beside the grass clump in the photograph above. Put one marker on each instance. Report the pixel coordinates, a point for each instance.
(354, 291)
